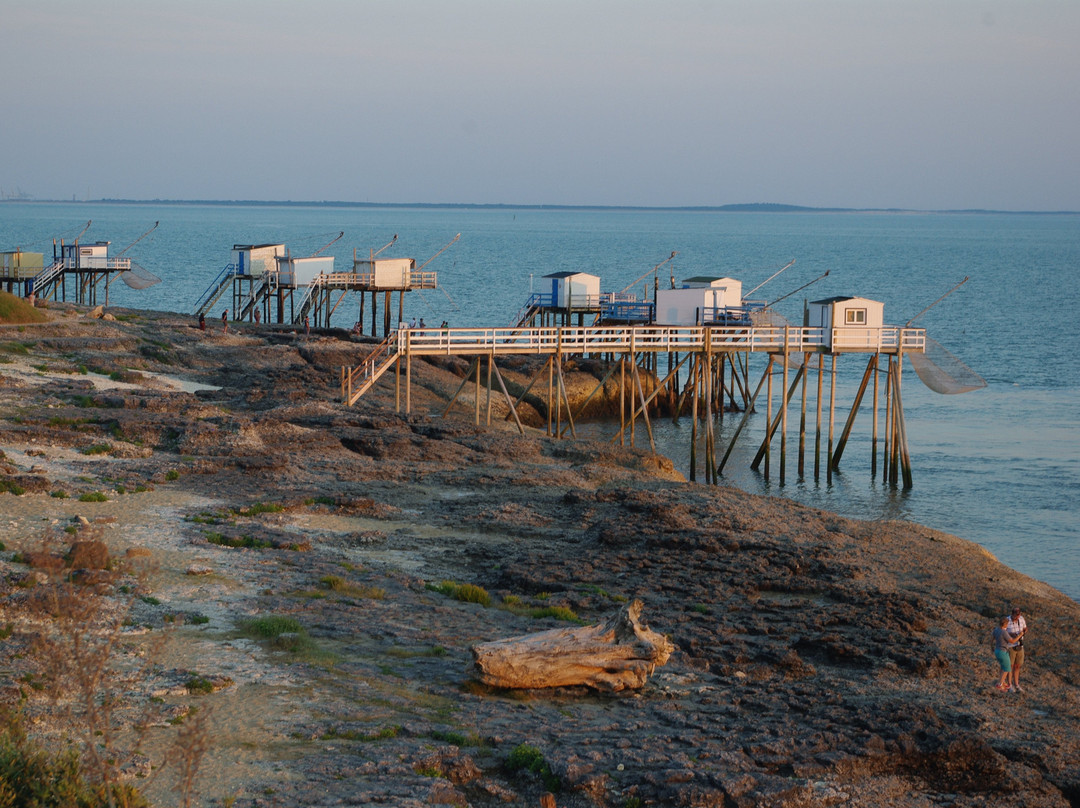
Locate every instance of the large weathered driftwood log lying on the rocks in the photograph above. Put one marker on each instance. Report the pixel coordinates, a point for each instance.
(618, 654)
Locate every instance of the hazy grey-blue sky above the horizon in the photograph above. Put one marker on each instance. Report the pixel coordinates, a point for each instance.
(923, 104)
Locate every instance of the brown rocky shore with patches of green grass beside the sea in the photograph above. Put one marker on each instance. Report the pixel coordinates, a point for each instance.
(818, 661)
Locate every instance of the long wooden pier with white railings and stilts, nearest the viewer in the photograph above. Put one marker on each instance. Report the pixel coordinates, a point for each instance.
(715, 362)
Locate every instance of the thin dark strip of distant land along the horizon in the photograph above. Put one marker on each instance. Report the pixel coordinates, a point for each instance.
(741, 208)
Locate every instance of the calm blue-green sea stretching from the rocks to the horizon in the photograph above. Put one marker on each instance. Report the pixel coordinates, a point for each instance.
(1000, 466)
